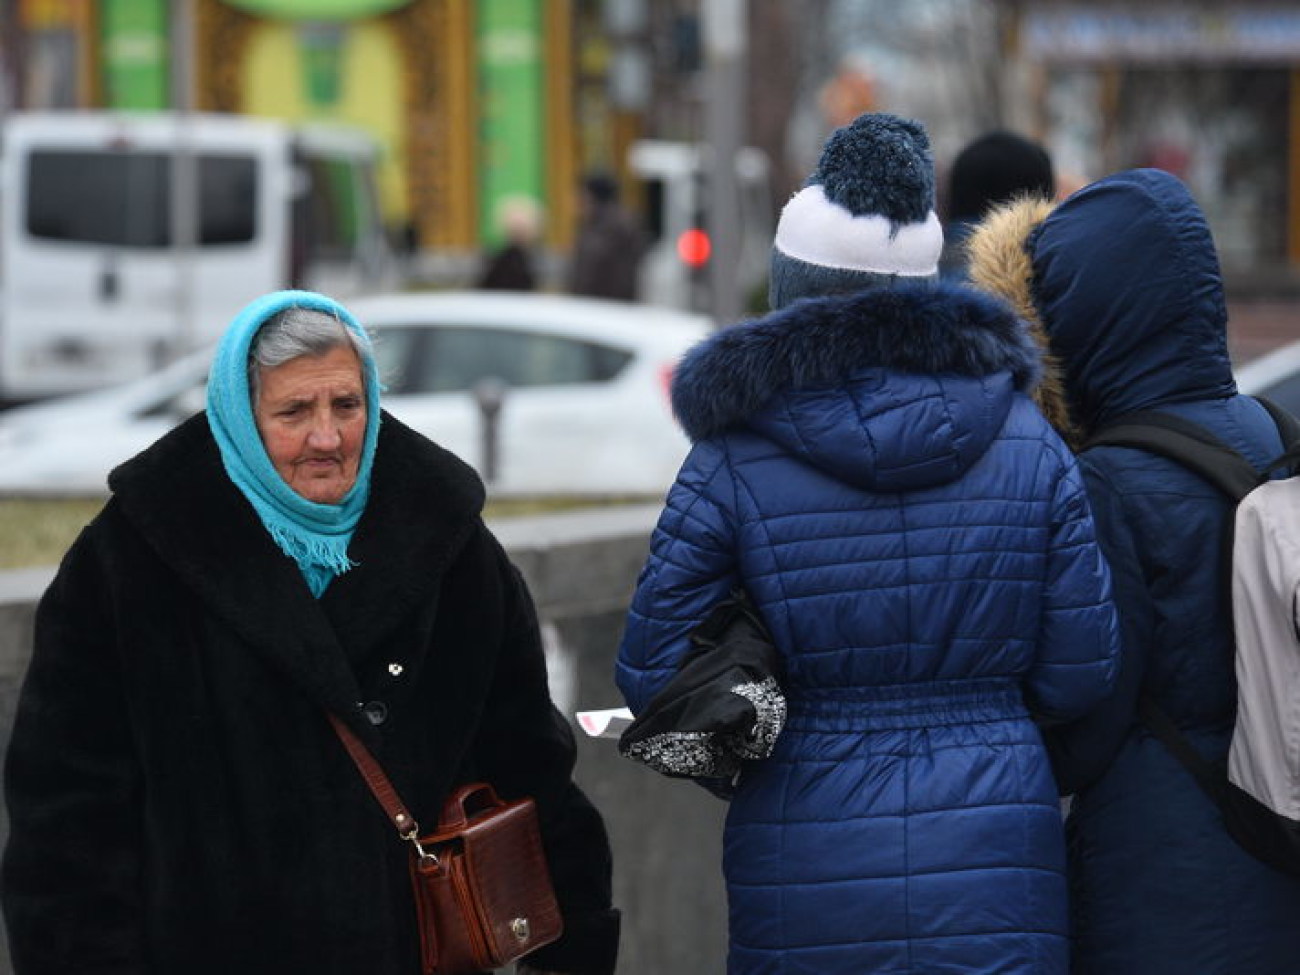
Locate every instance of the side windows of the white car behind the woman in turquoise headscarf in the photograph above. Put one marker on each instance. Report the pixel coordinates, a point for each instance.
(456, 358)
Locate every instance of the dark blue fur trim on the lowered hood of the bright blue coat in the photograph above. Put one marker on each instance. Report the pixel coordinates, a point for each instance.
(931, 331)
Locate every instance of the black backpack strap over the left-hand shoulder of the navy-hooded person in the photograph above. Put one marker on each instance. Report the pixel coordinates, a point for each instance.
(1184, 443)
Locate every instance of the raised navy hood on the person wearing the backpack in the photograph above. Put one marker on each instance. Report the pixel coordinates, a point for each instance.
(1125, 280)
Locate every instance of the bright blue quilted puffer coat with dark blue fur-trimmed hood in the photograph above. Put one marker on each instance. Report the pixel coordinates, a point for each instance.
(918, 540)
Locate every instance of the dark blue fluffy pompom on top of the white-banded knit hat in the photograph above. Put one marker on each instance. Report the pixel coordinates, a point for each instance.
(879, 164)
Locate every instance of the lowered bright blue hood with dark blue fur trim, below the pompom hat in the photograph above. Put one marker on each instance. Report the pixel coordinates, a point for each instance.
(891, 389)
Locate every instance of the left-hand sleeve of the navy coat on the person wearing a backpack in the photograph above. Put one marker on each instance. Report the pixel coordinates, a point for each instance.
(1081, 751)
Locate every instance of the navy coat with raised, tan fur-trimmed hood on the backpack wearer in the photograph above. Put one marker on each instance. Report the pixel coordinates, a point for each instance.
(1124, 279)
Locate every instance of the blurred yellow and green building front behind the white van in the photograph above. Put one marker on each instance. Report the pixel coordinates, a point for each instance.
(473, 101)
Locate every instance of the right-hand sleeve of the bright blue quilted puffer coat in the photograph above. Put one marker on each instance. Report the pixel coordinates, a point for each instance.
(1080, 644)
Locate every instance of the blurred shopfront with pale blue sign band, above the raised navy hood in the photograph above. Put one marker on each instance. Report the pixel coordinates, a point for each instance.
(1208, 90)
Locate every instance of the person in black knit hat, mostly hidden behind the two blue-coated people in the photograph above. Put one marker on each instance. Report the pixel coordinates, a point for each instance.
(990, 171)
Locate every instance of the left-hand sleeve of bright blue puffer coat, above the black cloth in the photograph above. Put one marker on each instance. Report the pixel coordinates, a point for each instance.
(691, 569)
